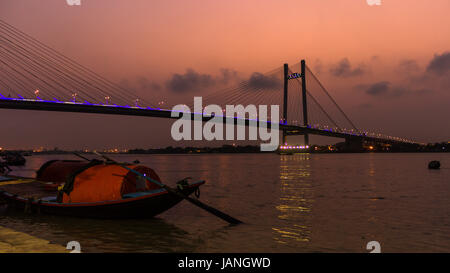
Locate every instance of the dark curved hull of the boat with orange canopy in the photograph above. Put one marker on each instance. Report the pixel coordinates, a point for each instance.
(144, 206)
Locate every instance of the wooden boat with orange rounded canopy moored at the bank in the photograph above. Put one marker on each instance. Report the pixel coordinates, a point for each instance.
(94, 190)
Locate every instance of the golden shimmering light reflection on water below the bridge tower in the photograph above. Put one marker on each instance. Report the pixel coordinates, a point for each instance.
(296, 200)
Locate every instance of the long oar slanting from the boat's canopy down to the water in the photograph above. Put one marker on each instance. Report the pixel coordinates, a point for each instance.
(196, 202)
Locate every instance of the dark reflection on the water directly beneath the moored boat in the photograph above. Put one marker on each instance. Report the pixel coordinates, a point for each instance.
(95, 235)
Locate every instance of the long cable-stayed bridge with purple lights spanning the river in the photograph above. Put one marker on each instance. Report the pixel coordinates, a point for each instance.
(33, 76)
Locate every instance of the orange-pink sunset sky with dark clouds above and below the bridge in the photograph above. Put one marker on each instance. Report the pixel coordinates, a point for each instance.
(387, 66)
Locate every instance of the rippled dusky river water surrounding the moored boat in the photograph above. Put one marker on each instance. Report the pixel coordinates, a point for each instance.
(296, 203)
